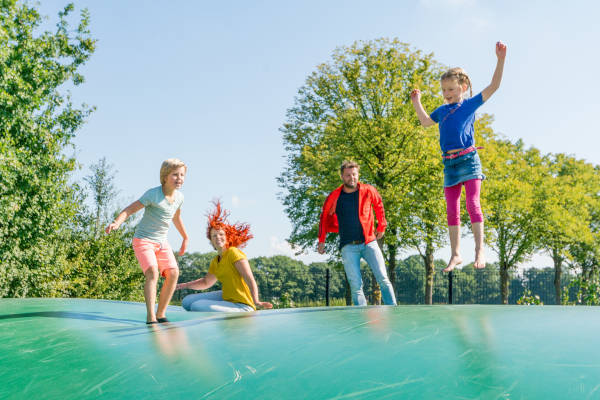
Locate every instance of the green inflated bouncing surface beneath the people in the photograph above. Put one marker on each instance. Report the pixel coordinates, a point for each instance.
(76, 348)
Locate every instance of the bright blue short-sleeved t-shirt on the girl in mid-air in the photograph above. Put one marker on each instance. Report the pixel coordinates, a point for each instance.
(456, 123)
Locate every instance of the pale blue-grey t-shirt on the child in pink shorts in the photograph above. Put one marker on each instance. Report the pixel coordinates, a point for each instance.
(158, 213)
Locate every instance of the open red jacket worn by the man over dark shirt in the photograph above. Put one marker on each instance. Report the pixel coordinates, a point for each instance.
(367, 197)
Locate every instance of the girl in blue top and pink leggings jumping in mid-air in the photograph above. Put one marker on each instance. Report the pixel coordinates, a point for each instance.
(459, 154)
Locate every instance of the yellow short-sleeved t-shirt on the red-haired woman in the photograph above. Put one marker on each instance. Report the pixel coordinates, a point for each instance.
(235, 289)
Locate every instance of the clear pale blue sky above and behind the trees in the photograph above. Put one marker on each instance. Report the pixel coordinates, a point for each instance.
(210, 83)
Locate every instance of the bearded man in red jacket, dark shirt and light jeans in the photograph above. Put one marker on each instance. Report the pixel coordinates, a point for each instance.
(349, 211)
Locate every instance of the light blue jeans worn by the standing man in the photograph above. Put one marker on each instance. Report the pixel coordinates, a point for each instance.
(351, 255)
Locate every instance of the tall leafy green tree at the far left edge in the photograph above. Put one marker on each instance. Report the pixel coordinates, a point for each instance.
(37, 123)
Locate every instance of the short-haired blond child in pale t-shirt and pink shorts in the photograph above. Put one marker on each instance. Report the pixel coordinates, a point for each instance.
(162, 204)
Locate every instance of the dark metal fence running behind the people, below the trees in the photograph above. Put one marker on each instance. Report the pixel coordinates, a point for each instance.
(458, 287)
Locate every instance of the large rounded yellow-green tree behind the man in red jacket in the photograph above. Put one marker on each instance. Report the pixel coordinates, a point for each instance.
(357, 107)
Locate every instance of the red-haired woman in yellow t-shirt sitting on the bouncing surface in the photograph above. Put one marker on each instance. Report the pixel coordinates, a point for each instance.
(230, 267)
